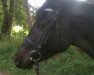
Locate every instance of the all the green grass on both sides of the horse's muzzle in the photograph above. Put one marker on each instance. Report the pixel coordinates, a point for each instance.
(71, 62)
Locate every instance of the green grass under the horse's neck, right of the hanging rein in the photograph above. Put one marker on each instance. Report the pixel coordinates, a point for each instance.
(72, 62)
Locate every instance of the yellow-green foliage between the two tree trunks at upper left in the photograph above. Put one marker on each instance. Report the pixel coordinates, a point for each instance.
(20, 16)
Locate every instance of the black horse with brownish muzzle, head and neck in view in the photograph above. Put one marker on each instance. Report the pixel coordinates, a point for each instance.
(59, 24)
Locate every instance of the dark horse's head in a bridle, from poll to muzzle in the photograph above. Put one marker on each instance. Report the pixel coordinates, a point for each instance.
(40, 43)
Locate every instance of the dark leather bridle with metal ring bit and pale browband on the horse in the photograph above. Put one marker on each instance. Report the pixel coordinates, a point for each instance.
(44, 39)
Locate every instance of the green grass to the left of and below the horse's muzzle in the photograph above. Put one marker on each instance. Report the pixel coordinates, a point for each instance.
(7, 52)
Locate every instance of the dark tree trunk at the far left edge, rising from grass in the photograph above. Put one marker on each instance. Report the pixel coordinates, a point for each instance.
(8, 16)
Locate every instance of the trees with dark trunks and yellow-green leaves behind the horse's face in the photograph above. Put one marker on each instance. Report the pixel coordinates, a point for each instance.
(15, 12)
